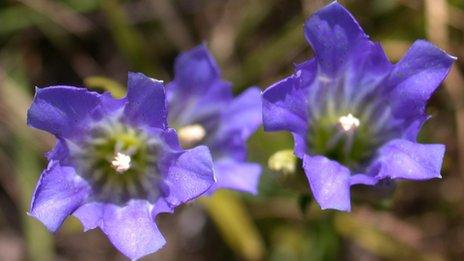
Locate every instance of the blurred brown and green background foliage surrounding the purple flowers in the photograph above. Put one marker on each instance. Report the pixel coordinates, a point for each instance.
(94, 43)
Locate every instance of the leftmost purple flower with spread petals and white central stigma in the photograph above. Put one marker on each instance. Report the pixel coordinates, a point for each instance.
(116, 164)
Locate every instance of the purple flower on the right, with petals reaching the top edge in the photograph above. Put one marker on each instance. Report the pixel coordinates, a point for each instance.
(355, 116)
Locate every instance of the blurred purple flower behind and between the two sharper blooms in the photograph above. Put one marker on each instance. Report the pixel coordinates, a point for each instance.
(203, 110)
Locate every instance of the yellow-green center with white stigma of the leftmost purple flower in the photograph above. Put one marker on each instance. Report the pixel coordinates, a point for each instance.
(119, 161)
